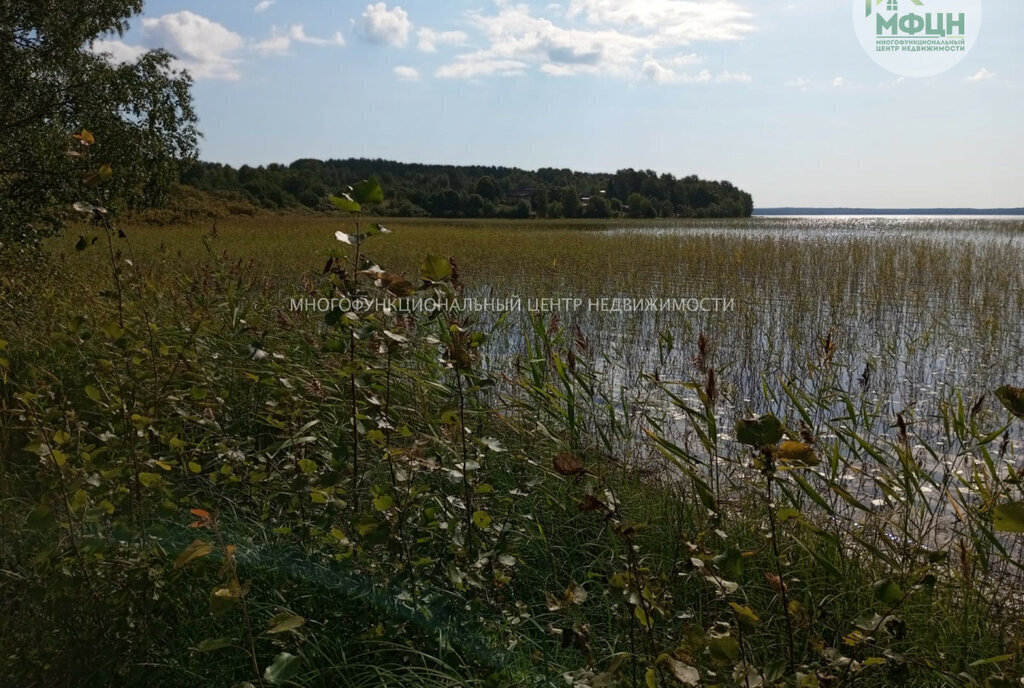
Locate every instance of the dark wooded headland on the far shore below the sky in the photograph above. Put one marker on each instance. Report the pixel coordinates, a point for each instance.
(476, 192)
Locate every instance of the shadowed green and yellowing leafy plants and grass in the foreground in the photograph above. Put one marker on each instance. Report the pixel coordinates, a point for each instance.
(204, 487)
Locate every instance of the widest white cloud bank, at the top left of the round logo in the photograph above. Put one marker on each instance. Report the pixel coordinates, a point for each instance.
(625, 39)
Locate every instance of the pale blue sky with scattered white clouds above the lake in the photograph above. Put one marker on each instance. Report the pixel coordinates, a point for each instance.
(778, 97)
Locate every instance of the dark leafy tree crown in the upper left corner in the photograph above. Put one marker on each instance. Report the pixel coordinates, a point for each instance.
(54, 82)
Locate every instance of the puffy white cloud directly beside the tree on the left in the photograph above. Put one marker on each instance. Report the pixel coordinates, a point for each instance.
(200, 46)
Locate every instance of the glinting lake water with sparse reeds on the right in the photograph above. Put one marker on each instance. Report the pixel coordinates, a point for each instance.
(908, 315)
